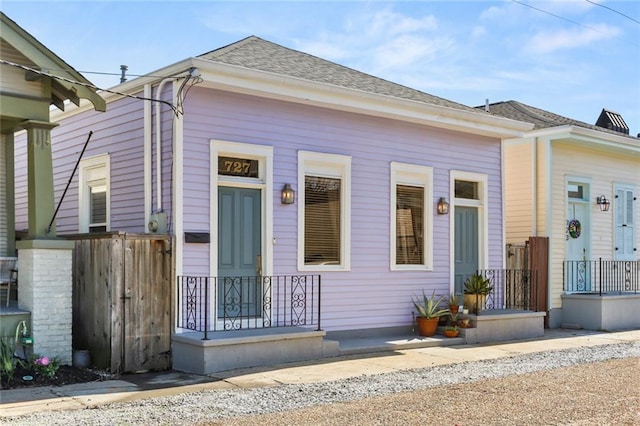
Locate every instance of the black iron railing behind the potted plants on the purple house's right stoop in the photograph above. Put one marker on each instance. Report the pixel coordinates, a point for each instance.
(511, 289)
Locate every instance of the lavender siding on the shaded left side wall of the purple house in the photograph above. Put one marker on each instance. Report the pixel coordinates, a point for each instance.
(118, 132)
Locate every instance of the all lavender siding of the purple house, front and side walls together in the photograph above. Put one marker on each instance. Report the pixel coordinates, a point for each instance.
(370, 295)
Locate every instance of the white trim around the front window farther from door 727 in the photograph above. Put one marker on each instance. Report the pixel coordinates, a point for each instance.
(419, 176)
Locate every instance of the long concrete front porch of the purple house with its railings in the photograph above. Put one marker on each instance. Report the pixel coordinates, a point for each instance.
(250, 322)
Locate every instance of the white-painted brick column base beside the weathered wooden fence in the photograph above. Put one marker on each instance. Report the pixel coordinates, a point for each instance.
(46, 291)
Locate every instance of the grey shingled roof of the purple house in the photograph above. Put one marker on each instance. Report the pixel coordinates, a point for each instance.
(256, 53)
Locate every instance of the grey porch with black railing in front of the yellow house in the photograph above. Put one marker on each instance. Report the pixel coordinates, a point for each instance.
(601, 294)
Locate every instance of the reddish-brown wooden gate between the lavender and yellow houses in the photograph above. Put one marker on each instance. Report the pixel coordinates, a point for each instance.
(533, 255)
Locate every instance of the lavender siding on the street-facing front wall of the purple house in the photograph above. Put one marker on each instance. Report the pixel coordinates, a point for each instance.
(369, 295)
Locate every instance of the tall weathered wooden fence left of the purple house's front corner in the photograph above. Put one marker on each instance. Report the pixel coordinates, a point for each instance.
(122, 300)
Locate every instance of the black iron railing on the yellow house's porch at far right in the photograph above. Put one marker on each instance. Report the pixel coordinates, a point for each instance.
(601, 276)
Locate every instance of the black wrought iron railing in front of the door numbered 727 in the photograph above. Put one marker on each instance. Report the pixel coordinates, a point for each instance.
(234, 303)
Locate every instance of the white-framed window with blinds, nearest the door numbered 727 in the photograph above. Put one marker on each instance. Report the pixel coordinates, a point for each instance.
(324, 211)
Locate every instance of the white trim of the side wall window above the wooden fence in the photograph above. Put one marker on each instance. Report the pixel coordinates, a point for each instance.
(86, 166)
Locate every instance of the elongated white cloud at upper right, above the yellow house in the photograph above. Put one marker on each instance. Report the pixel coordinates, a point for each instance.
(546, 42)
